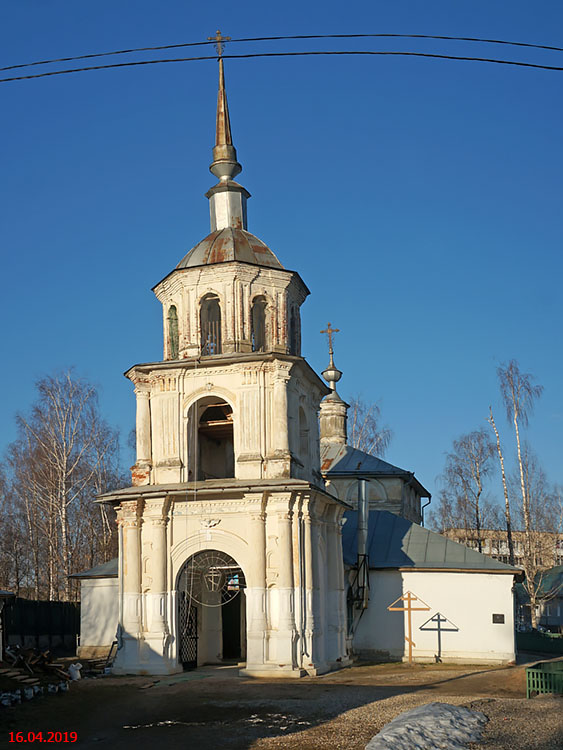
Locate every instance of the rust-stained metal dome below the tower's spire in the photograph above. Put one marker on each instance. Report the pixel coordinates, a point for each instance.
(230, 244)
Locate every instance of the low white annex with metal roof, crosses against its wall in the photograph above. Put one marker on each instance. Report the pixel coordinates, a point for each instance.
(471, 593)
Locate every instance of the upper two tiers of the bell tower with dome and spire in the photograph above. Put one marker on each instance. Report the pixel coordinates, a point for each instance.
(232, 344)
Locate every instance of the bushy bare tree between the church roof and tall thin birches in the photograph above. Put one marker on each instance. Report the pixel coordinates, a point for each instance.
(467, 466)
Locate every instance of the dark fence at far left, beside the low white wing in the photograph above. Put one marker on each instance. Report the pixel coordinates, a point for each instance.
(44, 625)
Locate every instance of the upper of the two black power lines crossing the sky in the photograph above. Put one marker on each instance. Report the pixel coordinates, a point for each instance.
(283, 38)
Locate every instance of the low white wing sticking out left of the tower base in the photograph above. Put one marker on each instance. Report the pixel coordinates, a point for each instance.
(99, 611)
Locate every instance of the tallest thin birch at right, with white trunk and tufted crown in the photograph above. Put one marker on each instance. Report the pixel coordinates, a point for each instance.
(519, 394)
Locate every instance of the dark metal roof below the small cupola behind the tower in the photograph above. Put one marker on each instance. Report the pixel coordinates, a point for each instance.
(343, 460)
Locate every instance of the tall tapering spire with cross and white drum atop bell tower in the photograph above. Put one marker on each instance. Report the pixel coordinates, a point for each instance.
(227, 199)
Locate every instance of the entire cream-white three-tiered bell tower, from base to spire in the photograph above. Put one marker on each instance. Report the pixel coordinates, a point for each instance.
(230, 546)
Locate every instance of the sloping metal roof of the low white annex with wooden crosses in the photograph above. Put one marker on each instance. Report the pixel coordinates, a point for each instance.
(394, 542)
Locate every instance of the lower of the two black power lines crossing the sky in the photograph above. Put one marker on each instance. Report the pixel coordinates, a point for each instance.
(287, 54)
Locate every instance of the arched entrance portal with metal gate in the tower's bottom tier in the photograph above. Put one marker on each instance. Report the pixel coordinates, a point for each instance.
(211, 610)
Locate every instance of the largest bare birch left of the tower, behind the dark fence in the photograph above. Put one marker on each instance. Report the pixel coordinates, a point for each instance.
(65, 455)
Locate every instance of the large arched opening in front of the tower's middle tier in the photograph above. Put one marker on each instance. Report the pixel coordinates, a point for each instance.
(211, 440)
